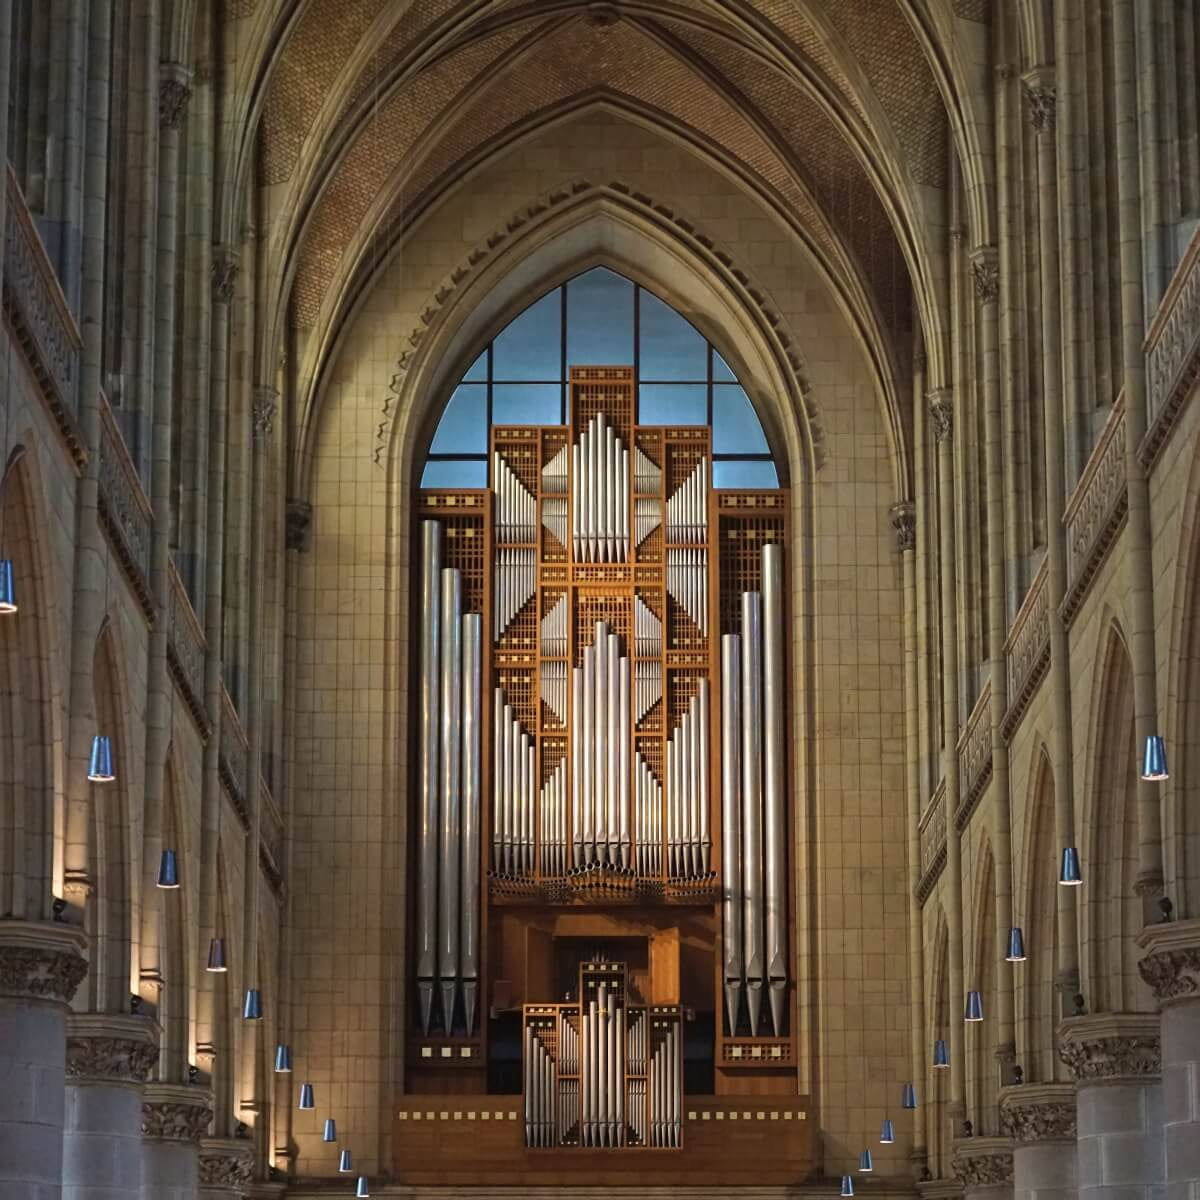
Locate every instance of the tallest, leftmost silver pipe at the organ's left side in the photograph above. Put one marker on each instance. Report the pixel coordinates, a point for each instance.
(430, 778)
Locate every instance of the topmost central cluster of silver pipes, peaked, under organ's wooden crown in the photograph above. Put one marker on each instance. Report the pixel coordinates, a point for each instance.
(601, 494)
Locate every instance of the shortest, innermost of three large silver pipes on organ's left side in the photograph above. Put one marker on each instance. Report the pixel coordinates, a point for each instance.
(472, 796)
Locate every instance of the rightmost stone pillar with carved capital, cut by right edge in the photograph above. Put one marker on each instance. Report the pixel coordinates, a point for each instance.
(1173, 971)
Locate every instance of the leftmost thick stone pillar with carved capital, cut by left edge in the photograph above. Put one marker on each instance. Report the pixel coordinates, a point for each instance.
(41, 967)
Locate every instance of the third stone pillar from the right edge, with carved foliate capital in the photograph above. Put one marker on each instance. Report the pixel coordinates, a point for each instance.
(1041, 1121)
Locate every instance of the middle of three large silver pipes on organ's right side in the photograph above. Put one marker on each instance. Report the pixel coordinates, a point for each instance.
(752, 802)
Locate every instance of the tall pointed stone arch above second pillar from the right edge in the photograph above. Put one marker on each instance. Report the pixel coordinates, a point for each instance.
(1111, 908)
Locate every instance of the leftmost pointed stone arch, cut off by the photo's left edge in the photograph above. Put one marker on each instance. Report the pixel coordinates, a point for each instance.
(31, 772)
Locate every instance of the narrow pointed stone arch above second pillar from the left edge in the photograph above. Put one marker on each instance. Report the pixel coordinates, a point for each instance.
(113, 867)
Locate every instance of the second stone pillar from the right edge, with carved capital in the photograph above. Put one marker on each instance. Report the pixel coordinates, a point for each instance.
(1115, 1061)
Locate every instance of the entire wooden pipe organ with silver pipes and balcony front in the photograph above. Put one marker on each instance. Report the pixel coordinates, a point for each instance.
(602, 953)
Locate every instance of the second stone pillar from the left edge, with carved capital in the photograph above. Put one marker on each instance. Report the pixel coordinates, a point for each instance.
(110, 1058)
